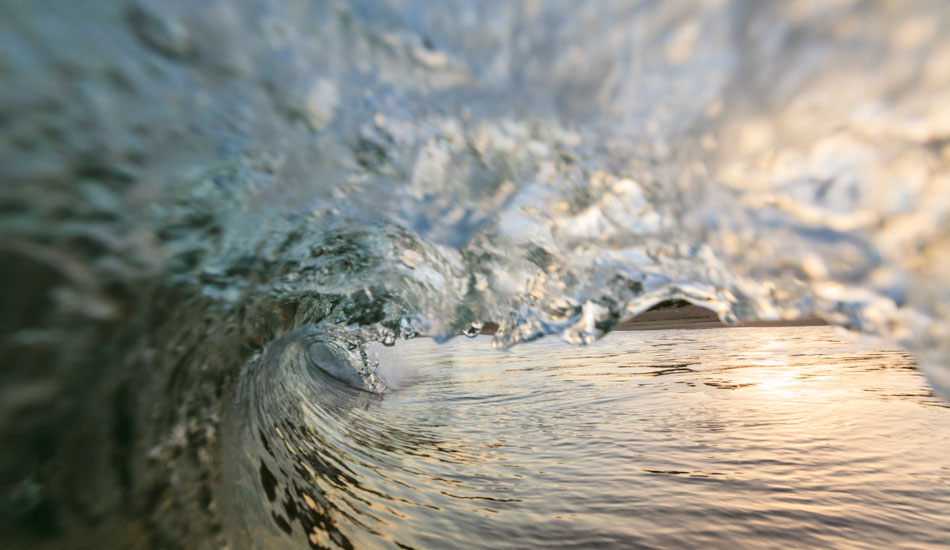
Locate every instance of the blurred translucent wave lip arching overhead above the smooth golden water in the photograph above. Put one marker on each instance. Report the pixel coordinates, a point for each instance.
(186, 182)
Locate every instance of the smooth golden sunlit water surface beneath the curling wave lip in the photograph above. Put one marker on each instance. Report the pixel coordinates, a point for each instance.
(748, 437)
